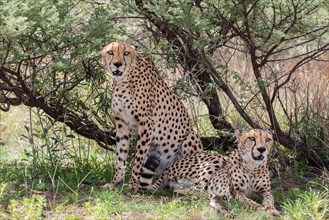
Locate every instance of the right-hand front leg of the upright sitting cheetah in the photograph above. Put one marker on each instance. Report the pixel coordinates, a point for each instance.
(142, 148)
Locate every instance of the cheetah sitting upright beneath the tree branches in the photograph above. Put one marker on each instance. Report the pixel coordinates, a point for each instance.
(143, 103)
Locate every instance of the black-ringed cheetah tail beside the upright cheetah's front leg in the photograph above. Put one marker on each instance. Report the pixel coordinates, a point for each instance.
(148, 171)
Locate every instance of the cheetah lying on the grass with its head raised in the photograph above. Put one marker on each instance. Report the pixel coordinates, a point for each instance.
(244, 172)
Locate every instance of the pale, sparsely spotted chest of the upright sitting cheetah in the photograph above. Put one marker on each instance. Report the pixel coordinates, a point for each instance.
(123, 106)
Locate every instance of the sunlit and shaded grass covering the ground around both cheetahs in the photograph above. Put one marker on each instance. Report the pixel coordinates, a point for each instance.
(67, 185)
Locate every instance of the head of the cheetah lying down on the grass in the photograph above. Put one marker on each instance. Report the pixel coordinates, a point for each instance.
(254, 146)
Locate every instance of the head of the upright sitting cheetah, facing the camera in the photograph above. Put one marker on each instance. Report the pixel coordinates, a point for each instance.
(118, 59)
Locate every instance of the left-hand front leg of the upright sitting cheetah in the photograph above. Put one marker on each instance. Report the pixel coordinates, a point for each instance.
(122, 148)
